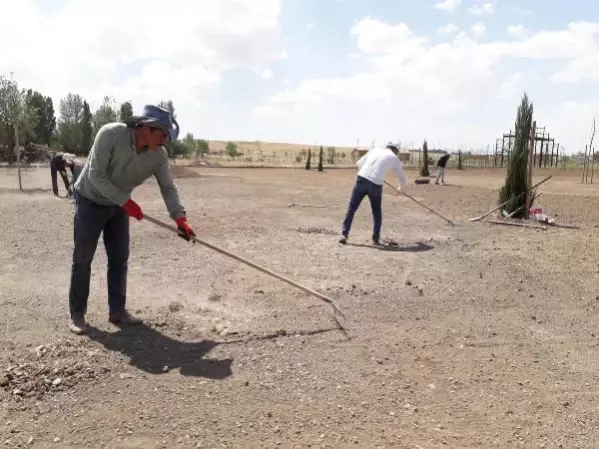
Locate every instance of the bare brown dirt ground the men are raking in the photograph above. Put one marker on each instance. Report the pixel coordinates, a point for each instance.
(473, 336)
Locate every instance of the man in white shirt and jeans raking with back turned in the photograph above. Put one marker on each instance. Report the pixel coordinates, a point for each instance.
(372, 168)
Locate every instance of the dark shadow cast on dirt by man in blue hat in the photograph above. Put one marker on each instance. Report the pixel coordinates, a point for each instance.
(150, 350)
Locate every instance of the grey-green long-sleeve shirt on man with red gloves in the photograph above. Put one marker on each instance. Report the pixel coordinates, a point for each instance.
(114, 168)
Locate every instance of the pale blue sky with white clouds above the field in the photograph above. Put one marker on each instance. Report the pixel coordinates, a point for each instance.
(320, 72)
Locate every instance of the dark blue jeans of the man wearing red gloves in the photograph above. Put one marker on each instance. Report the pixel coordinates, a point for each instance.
(90, 221)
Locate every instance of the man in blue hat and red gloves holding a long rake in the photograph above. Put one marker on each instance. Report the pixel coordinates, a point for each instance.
(122, 157)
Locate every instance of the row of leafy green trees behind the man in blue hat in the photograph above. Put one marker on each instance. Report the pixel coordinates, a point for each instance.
(32, 115)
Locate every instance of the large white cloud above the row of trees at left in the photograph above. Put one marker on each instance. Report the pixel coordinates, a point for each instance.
(95, 51)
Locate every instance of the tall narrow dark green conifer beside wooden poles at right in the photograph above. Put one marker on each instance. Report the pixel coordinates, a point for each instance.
(515, 187)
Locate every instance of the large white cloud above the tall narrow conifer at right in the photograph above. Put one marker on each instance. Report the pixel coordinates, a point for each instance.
(407, 81)
